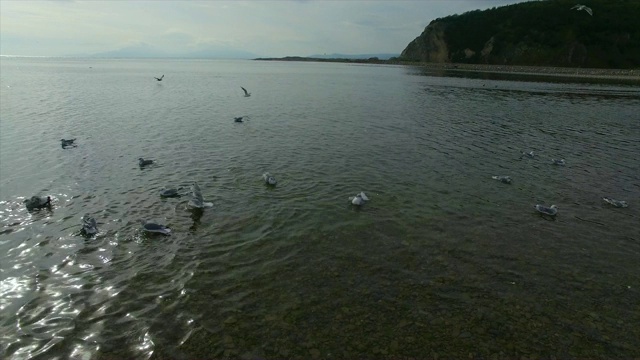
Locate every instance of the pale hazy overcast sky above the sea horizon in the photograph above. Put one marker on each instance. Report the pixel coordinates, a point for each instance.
(235, 28)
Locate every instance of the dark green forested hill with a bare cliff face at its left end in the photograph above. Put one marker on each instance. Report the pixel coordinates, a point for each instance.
(540, 33)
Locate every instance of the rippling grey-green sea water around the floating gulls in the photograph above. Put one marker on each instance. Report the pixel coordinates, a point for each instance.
(443, 261)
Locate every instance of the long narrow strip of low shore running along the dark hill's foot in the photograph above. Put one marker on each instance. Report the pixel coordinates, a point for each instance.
(628, 74)
